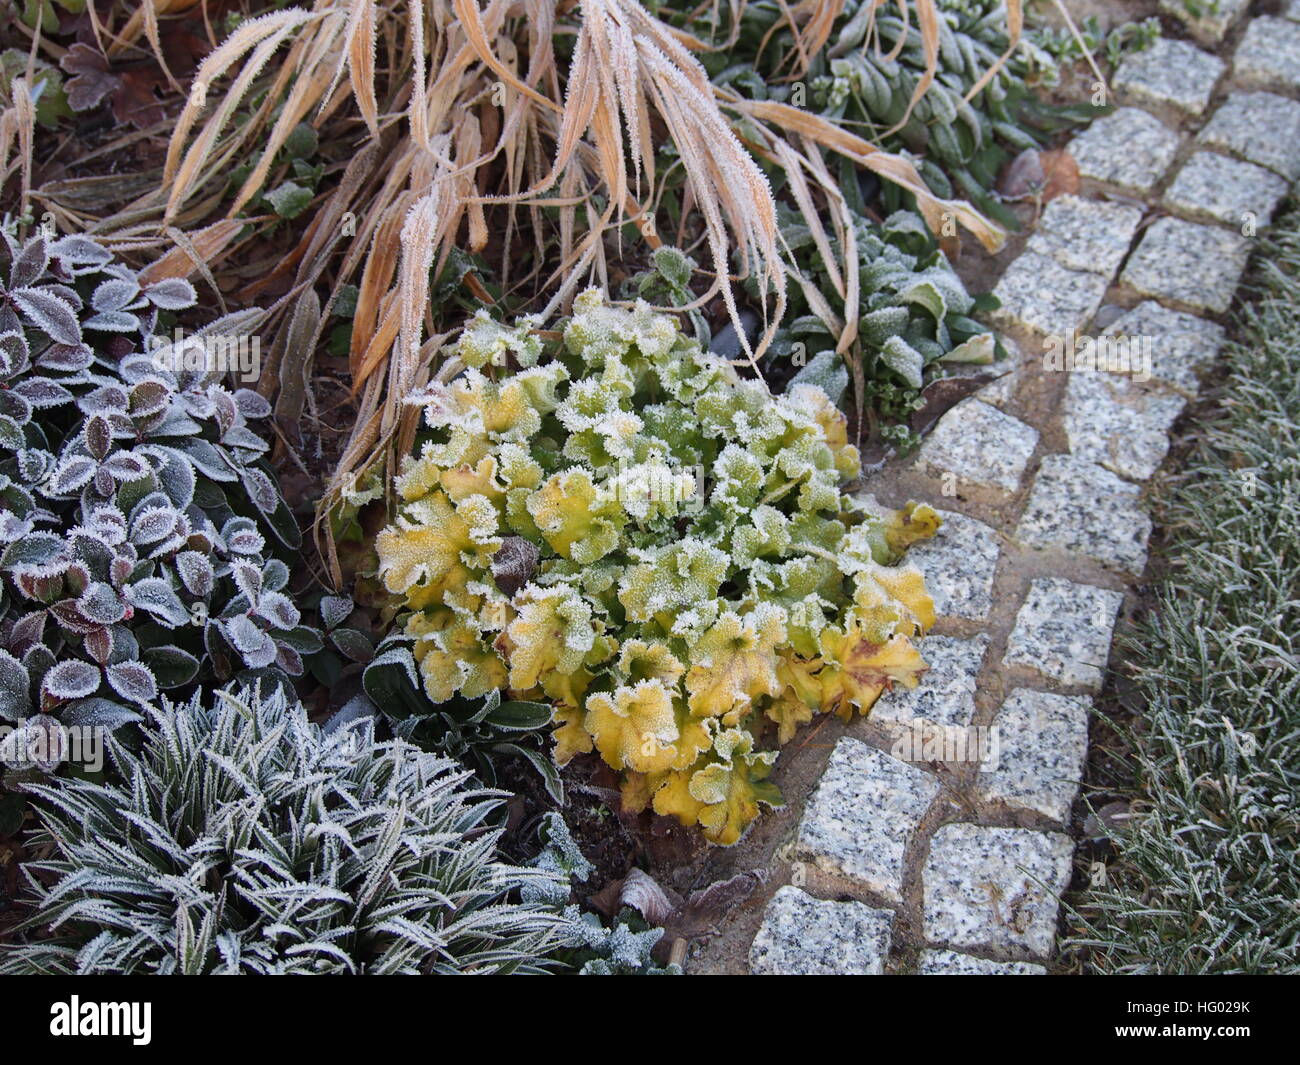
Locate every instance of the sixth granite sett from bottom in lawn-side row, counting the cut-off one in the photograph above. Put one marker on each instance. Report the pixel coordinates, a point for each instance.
(1119, 423)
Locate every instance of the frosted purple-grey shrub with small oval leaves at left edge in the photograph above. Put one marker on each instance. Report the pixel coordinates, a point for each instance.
(135, 497)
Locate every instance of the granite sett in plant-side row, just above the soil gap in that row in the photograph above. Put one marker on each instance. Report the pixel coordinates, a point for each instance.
(1039, 295)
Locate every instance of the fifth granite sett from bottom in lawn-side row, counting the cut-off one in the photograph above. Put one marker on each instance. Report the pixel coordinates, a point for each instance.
(1077, 506)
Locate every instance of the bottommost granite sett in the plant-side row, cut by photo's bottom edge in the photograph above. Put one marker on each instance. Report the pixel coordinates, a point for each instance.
(807, 937)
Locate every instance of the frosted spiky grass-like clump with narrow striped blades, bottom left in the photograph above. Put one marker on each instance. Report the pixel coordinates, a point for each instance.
(244, 839)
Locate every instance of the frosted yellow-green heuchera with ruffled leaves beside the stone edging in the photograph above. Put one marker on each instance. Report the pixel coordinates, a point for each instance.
(661, 549)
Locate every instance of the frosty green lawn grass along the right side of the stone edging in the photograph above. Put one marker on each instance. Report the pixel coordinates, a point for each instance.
(1207, 871)
